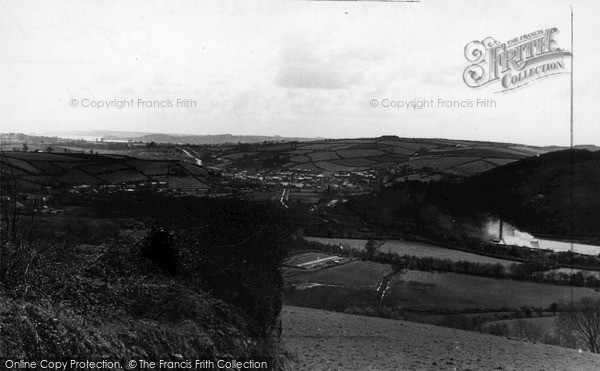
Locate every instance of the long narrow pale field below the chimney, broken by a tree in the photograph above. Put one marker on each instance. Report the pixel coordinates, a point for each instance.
(414, 248)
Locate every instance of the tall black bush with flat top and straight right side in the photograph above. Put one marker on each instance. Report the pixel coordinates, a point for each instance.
(231, 248)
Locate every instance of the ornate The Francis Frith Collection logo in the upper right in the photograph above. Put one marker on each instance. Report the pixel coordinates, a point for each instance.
(516, 62)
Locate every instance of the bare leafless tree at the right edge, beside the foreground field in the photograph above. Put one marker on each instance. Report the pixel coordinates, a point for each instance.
(582, 319)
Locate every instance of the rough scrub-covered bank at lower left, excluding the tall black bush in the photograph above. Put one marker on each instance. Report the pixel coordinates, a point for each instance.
(108, 301)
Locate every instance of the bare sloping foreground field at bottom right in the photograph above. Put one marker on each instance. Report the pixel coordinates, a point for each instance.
(336, 341)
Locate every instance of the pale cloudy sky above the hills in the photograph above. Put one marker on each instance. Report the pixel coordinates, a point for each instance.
(289, 68)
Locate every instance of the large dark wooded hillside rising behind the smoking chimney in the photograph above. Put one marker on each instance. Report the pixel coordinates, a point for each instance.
(532, 194)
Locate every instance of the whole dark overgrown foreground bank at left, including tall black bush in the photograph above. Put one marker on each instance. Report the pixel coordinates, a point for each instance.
(207, 285)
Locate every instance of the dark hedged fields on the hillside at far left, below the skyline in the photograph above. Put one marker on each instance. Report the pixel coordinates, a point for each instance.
(35, 170)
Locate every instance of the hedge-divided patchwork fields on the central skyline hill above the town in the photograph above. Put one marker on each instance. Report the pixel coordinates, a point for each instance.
(347, 155)
